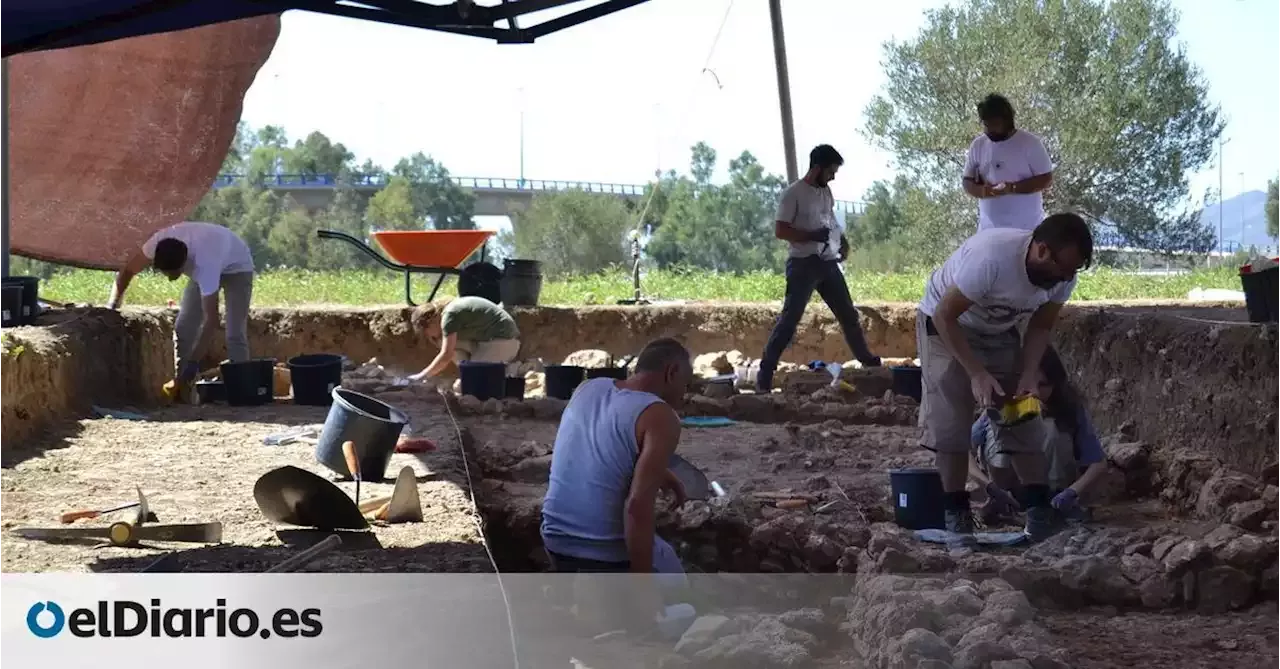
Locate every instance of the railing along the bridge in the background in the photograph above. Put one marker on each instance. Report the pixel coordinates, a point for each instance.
(476, 184)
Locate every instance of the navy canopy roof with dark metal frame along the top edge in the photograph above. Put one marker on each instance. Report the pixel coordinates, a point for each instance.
(42, 25)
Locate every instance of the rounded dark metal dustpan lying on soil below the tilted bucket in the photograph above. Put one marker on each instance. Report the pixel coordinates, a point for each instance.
(298, 497)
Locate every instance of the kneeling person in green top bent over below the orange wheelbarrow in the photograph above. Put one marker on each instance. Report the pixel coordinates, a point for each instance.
(472, 329)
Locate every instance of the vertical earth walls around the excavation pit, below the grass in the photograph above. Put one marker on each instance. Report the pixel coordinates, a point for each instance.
(1181, 374)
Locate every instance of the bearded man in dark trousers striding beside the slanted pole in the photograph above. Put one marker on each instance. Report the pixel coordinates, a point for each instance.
(807, 221)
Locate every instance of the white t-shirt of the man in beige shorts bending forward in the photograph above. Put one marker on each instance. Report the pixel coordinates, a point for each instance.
(991, 271)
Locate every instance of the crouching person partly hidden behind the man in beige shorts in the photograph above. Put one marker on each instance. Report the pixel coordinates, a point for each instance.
(1075, 459)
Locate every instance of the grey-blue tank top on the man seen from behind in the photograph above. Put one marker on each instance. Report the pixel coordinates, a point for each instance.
(593, 462)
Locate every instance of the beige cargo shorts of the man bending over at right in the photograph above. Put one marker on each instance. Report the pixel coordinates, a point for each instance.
(948, 409)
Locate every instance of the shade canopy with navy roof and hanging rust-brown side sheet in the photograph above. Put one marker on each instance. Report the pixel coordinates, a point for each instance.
(115, 141)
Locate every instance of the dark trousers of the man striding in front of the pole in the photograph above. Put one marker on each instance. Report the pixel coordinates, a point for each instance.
(804, 277)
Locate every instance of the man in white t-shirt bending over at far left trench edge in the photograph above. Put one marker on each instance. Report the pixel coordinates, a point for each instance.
(214, 259)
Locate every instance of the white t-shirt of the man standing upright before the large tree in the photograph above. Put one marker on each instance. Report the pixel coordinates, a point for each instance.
(1018, 158)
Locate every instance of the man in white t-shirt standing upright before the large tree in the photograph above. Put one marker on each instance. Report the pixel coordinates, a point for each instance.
(1008, 171)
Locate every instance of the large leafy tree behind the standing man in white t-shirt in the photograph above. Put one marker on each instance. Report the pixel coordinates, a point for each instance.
(1123, 112)
